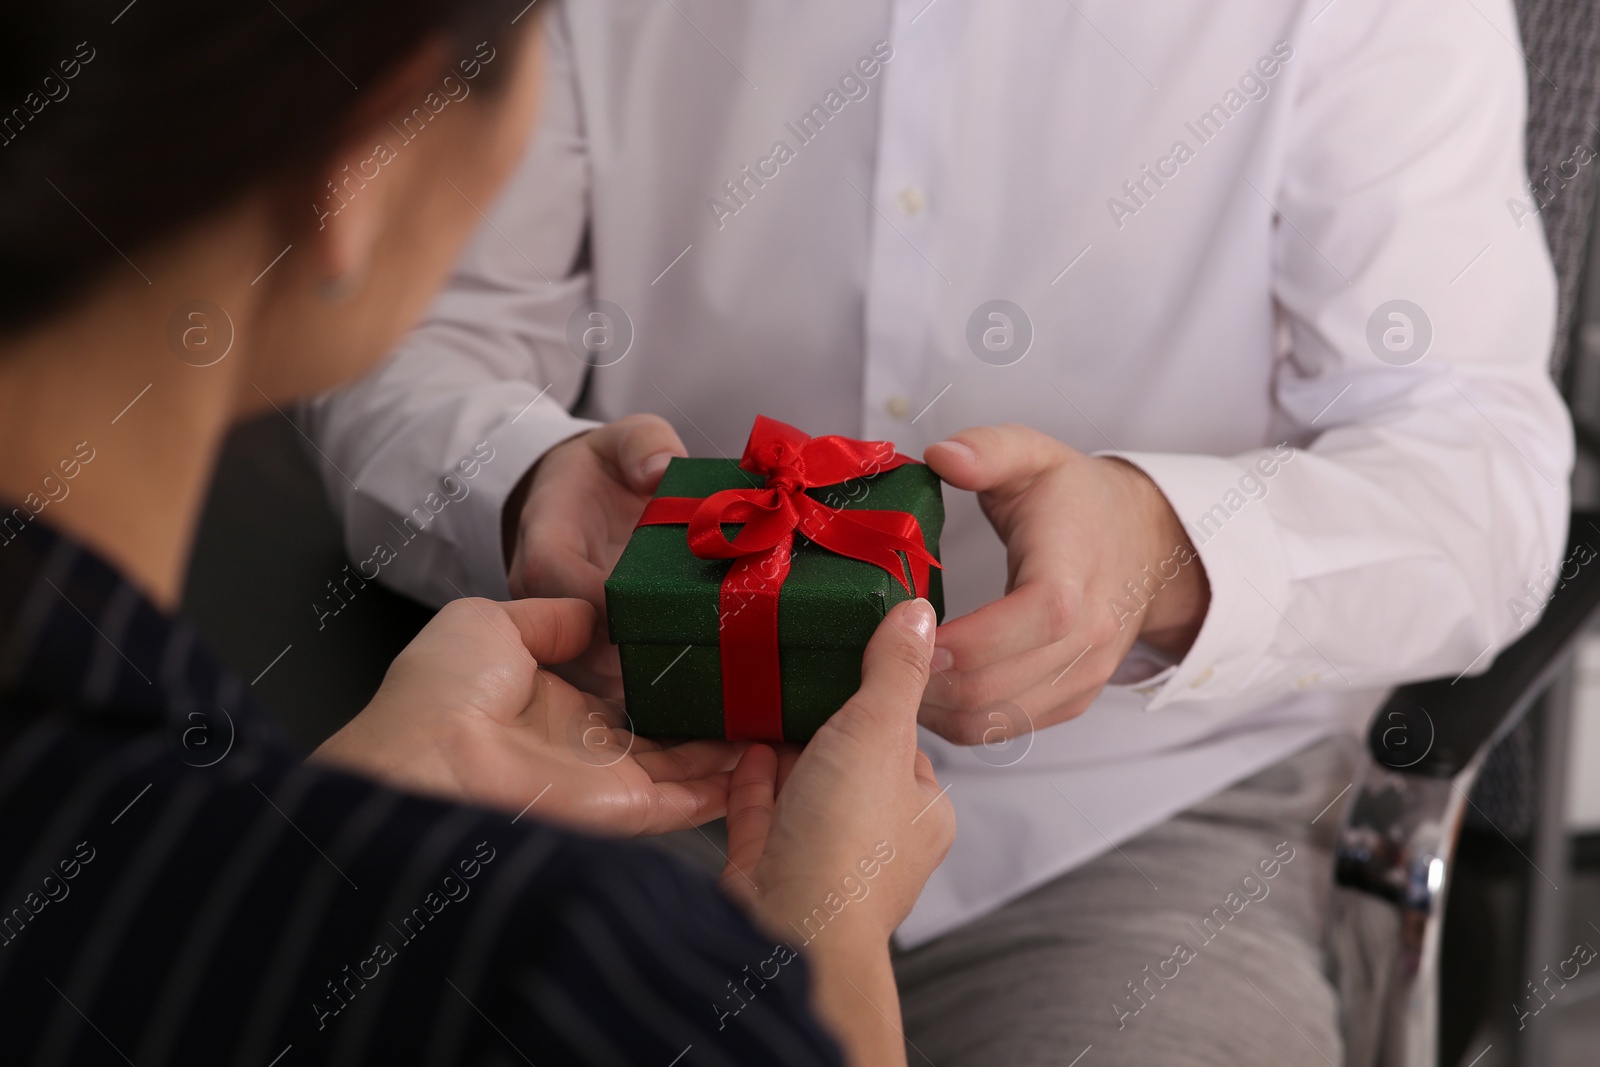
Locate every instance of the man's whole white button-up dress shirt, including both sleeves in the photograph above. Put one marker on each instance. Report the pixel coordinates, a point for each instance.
(1204, 210)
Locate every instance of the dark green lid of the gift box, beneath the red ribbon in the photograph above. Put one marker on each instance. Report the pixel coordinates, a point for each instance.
(660, 593)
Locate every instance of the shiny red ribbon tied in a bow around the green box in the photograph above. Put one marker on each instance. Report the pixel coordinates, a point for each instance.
(793, 463)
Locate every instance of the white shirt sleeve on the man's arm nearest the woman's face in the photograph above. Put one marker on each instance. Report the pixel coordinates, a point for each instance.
(420, 457)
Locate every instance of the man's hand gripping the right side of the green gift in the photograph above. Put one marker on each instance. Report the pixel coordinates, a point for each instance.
(1078, 532)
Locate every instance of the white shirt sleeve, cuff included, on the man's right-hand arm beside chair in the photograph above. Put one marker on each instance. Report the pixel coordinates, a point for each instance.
(1412, 519)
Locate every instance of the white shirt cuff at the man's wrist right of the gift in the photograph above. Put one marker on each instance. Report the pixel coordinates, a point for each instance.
(1244, 561)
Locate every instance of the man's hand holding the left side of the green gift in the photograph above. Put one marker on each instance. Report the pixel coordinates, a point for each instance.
(572, 524)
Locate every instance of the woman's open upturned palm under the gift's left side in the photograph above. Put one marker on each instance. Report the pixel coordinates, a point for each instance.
(468, 714)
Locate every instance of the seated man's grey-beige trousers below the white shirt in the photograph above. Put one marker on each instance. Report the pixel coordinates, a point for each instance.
(1158, 954)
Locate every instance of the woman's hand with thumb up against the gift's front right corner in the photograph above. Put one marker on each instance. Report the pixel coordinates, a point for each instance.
(831, 849)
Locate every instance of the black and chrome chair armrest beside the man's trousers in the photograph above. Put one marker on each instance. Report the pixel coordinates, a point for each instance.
(1398, 841)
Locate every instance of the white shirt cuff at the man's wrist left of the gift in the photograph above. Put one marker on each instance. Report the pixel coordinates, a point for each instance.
(521, 438)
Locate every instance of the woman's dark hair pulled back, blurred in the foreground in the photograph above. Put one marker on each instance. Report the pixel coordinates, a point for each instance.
(124, 122)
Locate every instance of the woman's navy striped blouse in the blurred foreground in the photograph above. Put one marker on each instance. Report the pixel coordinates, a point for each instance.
(177, 887)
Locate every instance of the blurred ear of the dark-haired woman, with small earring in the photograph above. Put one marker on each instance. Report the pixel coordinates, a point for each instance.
(351, 194)
